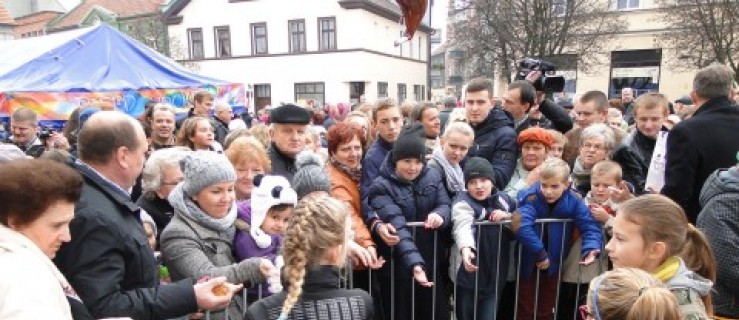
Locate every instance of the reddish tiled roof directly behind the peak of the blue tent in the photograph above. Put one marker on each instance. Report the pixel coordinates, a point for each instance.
(127, 8)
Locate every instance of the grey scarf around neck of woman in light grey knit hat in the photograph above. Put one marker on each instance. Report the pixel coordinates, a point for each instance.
(188, 208)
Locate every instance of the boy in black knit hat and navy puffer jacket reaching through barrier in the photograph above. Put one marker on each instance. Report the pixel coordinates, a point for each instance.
(408, 191)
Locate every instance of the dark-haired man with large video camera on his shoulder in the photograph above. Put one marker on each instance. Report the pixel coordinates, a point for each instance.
(521, 98)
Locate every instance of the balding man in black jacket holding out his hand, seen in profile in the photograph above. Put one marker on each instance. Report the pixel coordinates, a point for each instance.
(108, 261)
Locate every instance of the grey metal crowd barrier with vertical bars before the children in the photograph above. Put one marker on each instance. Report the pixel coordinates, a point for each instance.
(347, 280)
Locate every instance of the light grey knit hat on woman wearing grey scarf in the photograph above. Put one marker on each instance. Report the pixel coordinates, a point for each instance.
(205, 168)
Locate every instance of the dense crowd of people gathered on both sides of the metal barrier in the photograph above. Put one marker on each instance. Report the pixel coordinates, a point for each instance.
(434, 211)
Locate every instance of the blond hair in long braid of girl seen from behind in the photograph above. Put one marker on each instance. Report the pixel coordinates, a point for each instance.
(312, 231)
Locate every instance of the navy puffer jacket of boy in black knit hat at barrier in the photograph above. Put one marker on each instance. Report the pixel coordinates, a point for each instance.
(397, 202)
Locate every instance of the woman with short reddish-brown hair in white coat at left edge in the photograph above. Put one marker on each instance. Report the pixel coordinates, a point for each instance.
(38, 198)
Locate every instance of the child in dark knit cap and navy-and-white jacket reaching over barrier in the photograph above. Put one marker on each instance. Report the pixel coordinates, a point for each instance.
(479, 257)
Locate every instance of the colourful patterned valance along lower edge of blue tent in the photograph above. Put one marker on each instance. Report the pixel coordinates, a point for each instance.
(58, 105)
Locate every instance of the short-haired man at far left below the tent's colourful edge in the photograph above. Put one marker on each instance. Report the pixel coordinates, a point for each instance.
(24, 127)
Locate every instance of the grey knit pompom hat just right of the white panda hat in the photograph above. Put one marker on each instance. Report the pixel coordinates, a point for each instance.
(311, 175)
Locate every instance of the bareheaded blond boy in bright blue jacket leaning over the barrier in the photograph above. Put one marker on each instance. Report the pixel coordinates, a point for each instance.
(545, 247)
